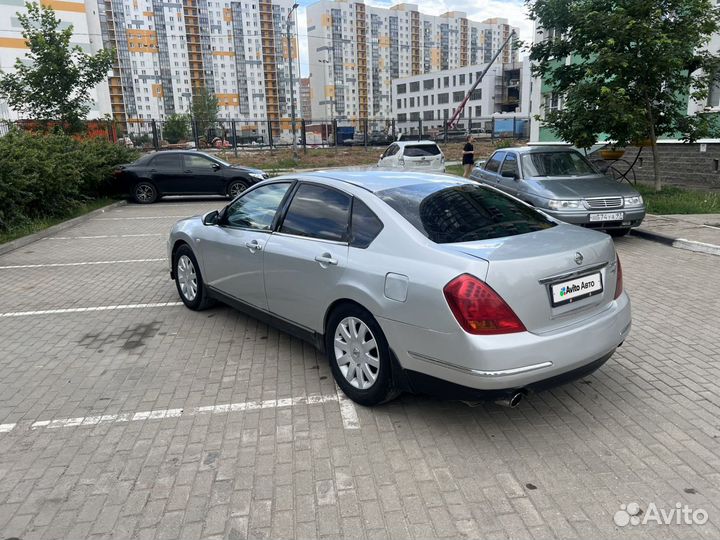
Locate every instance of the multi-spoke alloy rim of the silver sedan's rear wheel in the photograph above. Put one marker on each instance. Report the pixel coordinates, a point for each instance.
(357, 353)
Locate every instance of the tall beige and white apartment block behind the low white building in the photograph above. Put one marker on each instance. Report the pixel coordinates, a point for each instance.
(356, 51)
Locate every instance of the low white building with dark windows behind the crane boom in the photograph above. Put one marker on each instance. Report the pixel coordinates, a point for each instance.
(430, 100)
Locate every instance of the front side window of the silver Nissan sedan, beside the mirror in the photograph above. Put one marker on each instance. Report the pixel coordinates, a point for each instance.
(256, 209)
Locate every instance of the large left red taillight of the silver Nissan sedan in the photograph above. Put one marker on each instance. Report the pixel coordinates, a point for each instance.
(479, 309)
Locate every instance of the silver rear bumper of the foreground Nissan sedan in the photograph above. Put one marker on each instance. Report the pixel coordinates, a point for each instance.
(497, 364)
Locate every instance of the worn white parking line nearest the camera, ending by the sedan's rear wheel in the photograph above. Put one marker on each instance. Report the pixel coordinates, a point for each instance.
(313, 399)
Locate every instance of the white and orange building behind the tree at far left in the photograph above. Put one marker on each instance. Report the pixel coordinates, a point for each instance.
(86, 33)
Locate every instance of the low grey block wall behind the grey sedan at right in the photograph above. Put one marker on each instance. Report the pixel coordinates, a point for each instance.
(694, 165)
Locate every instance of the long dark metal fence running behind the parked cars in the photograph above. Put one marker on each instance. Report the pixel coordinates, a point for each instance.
(184, 132)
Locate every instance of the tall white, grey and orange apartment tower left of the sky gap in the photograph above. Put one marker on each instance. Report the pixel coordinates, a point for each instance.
(168, 52)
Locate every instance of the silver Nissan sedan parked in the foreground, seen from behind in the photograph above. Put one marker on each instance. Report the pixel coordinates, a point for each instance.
(411, 282)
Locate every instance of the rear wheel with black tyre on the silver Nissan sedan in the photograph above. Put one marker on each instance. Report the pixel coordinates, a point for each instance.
(359, 356)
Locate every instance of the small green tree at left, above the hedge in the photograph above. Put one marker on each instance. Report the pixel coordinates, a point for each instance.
(54, 80)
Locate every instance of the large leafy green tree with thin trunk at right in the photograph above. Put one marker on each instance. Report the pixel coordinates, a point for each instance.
(634, 65)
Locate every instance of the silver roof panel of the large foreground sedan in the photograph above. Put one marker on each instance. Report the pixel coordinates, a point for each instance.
(378, 180)
